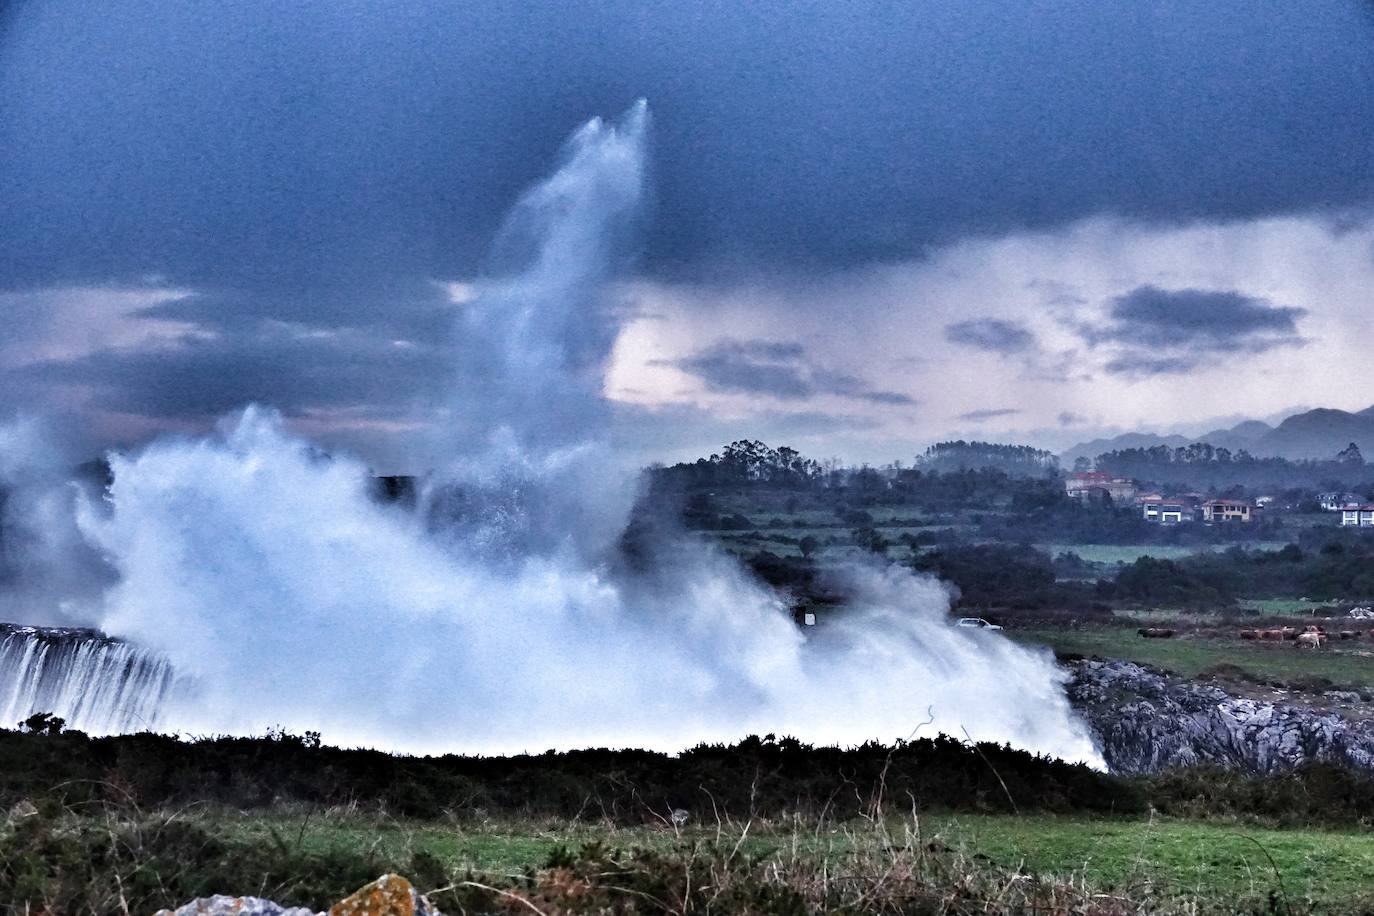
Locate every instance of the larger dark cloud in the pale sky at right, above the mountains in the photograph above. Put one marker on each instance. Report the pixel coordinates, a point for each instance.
(1171, 332)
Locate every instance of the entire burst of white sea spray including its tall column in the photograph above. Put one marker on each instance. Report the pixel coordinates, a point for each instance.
(498, 619)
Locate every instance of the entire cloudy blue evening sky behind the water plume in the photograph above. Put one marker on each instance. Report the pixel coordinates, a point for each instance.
(875, 226)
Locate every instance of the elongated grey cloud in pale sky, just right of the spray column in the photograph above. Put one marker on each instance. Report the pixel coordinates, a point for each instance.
(778, 370)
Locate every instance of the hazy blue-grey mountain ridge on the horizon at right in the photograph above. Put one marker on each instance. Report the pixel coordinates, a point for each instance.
(1313, 435)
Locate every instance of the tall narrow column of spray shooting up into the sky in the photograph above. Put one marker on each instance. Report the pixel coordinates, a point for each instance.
(530, 472)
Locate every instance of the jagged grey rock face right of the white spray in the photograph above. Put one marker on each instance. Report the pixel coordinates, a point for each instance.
(1148, 722)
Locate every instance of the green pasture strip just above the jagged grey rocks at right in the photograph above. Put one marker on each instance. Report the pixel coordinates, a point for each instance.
(1191, 657)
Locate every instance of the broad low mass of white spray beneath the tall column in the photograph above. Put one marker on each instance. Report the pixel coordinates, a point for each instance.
(269, 575)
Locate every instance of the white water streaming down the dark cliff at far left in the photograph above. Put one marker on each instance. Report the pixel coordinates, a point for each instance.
(97, 685)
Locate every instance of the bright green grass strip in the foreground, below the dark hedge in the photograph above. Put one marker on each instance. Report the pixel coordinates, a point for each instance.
(1164, 858)
